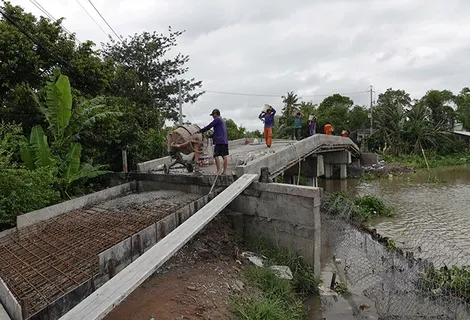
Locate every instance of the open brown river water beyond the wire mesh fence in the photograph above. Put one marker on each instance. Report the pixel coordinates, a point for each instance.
(431, 217)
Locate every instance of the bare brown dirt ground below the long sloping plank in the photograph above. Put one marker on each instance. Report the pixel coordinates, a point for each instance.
(196, 283)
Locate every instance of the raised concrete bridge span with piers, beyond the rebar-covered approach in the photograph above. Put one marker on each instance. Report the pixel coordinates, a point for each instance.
(321, 151)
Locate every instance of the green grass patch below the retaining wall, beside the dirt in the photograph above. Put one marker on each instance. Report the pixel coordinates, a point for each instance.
(278, 298)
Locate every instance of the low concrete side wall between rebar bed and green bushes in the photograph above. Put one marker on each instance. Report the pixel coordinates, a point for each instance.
(33, 217)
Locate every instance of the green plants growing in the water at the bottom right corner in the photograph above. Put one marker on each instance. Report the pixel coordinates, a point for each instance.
(455, 281)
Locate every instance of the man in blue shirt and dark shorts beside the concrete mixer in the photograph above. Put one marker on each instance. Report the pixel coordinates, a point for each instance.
(219, 138)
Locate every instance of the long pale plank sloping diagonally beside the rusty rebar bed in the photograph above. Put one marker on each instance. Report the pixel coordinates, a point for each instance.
(102, 301)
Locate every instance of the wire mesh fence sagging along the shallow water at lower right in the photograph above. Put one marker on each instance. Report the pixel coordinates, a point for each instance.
(417, 274)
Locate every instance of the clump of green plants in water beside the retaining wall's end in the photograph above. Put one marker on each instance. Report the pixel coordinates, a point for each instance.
(359, 208)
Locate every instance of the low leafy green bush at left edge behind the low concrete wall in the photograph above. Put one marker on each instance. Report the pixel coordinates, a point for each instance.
(22, 191)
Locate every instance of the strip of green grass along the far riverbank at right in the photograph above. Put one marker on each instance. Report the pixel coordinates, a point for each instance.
(435, 160)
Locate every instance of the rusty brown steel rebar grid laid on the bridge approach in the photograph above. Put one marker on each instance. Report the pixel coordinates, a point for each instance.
(42, 262)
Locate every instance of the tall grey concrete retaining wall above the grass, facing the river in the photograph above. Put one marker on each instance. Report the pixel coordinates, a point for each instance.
(287, 215)
